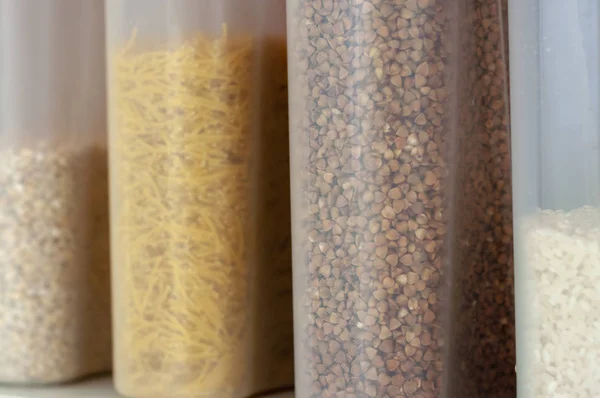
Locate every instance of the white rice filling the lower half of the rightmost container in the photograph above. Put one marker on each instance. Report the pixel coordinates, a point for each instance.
(563, 255)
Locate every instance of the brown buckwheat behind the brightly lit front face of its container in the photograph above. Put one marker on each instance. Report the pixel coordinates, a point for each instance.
(369, 103)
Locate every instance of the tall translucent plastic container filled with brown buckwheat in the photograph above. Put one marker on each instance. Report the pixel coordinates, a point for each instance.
(401, 202)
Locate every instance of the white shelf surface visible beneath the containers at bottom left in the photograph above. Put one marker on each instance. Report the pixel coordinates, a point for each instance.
(94, 388)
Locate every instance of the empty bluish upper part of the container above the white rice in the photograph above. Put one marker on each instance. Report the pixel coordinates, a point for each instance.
(555, 89)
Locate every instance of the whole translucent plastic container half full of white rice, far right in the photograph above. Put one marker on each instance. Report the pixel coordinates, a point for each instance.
(556, 171)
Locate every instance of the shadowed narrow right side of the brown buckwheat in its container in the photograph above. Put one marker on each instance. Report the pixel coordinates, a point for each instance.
(482, 348)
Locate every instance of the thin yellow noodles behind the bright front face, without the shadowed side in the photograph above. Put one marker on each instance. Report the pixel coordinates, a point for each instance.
(182, 152)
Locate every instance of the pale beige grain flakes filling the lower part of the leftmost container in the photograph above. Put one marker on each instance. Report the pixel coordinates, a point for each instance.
(54, 258)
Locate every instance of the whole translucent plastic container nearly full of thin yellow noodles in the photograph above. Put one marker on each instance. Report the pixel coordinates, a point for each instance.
(200, 197)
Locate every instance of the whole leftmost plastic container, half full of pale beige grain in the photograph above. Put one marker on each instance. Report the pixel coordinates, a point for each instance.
(54, 254)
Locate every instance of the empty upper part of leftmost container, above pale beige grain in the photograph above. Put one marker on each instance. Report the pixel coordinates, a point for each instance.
(51, 71)
